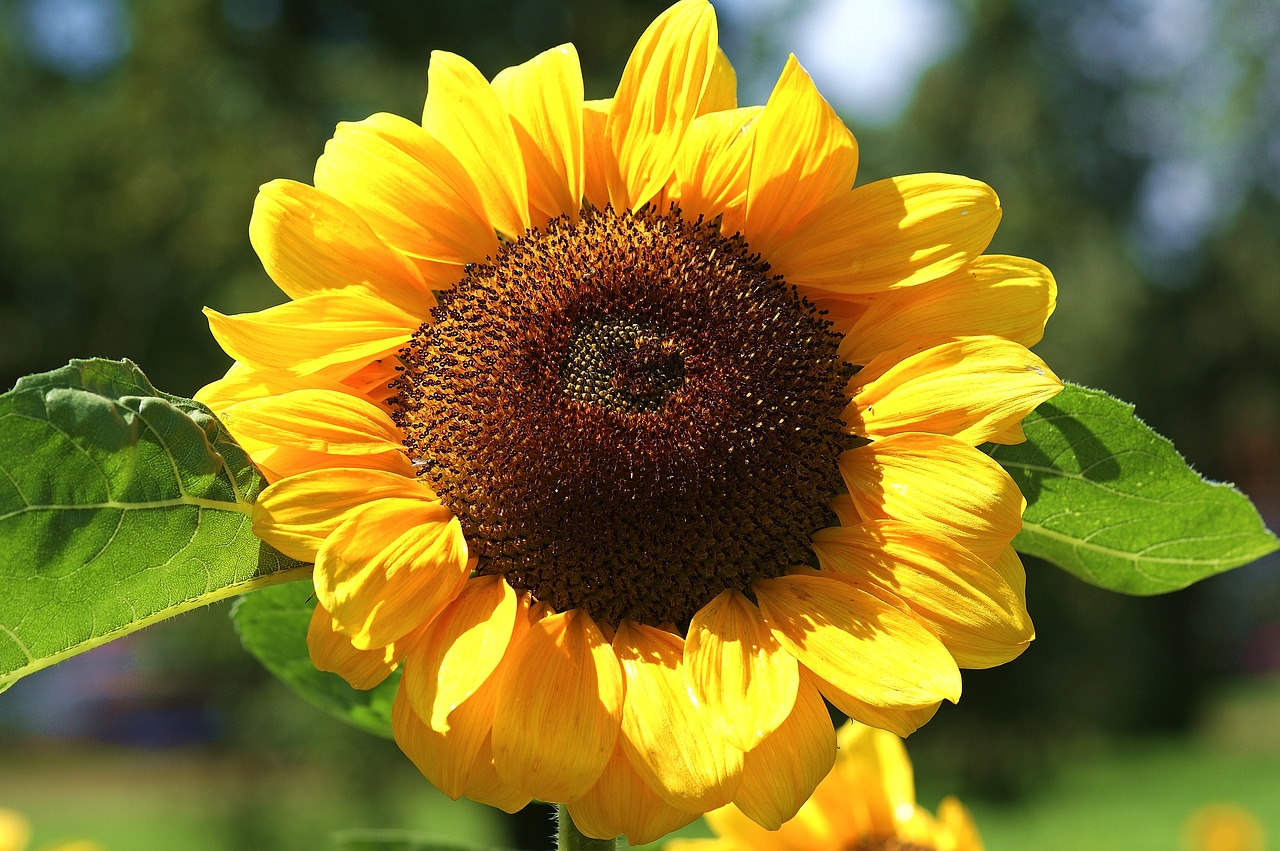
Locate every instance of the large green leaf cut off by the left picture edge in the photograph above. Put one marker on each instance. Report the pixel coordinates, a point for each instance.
(120, 506)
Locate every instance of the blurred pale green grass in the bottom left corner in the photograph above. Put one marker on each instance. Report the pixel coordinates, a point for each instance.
(198, 800)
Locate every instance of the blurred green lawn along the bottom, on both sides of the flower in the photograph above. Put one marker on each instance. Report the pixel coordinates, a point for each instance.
(1122, 797)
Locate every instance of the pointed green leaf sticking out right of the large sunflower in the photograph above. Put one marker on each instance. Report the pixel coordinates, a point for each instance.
(1114, 504)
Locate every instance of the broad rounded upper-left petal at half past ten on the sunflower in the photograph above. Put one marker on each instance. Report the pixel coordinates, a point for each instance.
(409, 187)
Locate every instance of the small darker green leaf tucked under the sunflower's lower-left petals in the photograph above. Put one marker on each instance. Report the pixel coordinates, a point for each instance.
(273, 626)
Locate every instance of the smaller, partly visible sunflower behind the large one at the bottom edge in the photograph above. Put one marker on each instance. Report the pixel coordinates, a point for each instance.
(866, 804)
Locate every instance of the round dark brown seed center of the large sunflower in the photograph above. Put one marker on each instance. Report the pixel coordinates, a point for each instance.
(628, 414)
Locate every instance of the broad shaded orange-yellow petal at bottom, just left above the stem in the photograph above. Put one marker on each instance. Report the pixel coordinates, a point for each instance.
(560, 703)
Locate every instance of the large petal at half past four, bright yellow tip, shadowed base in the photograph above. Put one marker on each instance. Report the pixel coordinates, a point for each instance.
(862, 644)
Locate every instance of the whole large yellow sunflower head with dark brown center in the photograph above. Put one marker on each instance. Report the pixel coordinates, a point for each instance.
(632, 432)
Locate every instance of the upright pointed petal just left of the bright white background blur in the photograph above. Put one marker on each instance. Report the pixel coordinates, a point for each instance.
(803, 157)
